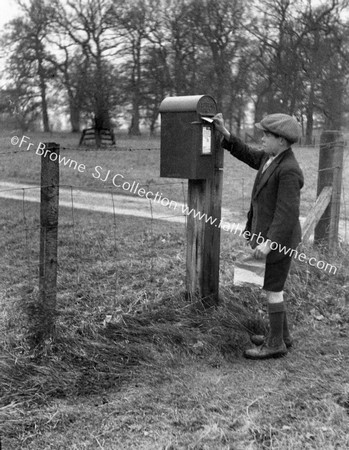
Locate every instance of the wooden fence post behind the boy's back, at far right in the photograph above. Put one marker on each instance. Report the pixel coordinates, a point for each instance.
(330, 174)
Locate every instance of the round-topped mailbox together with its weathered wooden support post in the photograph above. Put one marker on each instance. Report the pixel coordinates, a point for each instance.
(190, 148)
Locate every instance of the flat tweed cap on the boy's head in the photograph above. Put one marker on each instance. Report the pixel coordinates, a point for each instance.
(282, 125)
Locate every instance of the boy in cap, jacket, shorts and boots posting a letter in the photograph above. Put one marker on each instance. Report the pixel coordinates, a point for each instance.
(273, 218)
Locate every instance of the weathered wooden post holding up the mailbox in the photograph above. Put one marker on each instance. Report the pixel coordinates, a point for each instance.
(203, 237)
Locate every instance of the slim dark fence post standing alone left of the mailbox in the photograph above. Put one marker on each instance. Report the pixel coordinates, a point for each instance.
(44, 312)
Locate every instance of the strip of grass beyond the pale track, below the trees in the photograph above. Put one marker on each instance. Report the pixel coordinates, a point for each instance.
(137, 159)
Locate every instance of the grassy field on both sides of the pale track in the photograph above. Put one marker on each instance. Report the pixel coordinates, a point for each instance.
(133, 364)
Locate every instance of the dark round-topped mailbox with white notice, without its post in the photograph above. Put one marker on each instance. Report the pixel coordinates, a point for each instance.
(187, 147)
